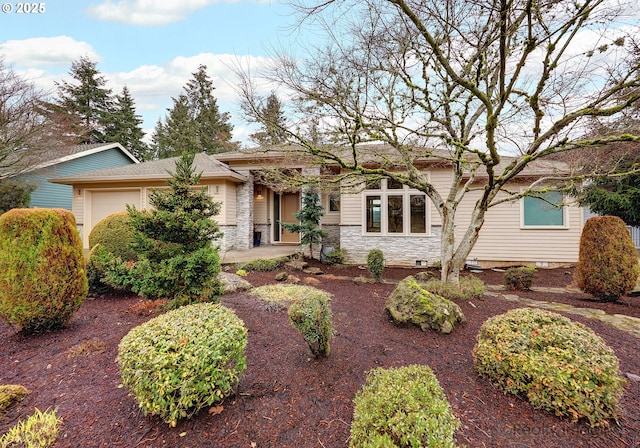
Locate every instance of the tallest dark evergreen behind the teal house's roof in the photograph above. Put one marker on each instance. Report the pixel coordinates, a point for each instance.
(89, 102)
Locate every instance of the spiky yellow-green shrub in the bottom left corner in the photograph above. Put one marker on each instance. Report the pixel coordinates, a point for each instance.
(40, 430)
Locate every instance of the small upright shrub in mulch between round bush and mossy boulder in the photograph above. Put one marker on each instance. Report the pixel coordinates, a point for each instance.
(311, 316)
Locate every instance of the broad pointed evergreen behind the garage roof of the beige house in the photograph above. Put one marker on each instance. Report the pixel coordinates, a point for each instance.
(194, 123)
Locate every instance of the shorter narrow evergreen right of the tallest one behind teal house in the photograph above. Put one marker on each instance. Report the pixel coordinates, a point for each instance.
(123, 126)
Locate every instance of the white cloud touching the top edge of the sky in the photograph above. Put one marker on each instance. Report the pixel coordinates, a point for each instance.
(148, 12)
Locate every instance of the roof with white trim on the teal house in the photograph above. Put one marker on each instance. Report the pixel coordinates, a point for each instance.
(54, 156)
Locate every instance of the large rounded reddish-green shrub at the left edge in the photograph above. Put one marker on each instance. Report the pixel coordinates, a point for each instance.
(43, 280)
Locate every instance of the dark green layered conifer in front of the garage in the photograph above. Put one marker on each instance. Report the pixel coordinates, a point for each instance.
(177, 260)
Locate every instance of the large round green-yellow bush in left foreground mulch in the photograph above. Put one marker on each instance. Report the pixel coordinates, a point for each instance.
(183, 360)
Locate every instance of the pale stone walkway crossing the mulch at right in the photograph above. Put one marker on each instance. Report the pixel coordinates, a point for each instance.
(621, 322)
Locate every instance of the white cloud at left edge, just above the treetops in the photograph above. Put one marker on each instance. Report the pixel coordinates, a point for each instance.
(57, 51)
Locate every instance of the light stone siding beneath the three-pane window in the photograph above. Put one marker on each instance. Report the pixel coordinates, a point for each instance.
(398, 250)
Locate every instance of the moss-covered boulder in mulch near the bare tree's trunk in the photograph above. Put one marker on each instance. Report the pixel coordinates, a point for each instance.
(411, 303)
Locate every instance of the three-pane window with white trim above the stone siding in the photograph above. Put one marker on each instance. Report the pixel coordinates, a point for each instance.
(393, 209)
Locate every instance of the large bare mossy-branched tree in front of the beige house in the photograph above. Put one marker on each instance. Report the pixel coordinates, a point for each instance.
(467, 82)
